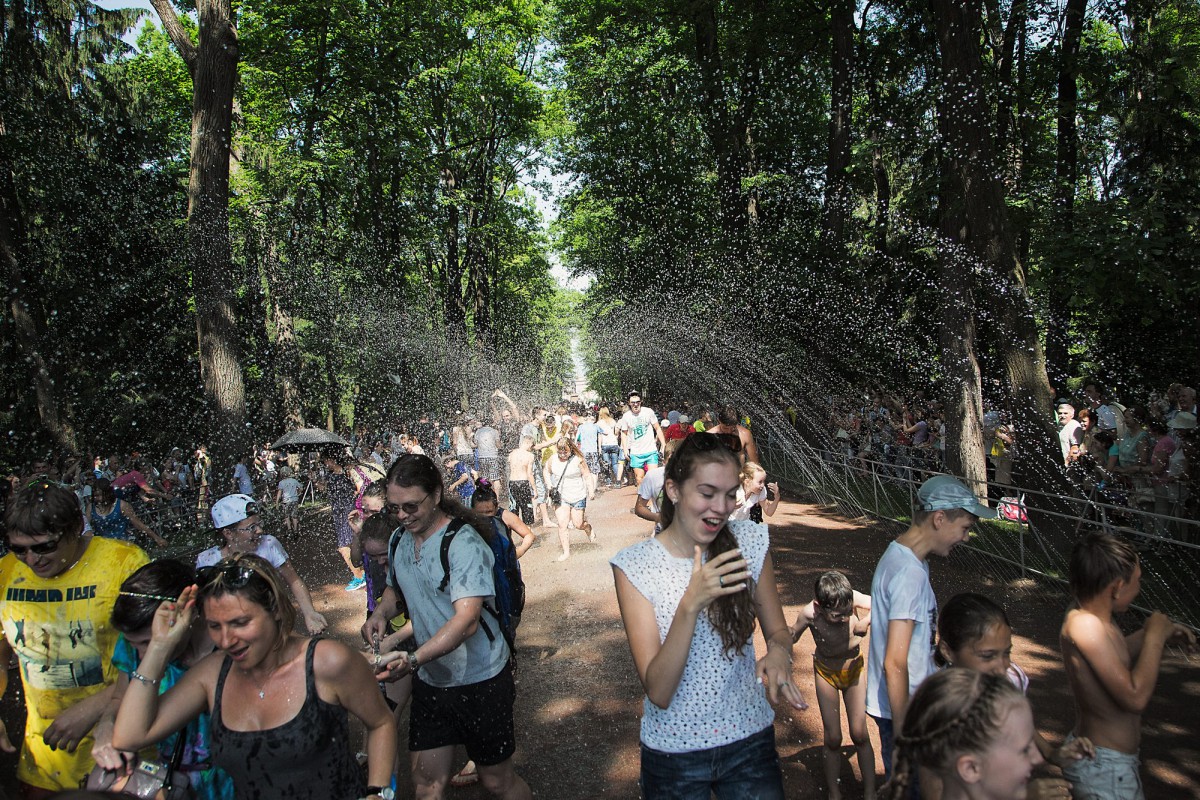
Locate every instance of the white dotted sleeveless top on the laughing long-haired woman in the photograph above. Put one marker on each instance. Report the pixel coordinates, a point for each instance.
(719, 700)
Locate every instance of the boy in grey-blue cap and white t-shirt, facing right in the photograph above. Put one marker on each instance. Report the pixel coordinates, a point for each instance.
(904, 610)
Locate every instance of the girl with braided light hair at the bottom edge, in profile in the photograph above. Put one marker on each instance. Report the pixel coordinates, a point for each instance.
(974, 732)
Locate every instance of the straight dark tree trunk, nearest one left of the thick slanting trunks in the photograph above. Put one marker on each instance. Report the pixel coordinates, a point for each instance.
(842, 95)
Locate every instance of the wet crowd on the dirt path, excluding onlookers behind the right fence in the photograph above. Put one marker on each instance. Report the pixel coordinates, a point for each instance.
(217, 663)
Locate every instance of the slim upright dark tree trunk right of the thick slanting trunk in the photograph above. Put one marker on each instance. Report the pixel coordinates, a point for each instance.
(1066, 177)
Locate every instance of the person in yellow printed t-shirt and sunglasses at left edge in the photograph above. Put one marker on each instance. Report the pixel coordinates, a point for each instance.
(59, 588)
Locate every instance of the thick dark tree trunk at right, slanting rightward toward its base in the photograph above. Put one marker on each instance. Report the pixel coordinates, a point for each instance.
(970, 143)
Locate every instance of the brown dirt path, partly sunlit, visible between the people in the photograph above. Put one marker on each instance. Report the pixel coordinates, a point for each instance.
(580, 702)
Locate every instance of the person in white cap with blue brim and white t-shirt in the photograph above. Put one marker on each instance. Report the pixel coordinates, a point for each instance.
(241, 531)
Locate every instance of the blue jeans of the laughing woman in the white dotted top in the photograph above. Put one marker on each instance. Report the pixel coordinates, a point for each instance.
(741, 771)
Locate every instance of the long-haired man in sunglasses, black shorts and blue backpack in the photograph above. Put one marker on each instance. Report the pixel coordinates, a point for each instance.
(463, 677)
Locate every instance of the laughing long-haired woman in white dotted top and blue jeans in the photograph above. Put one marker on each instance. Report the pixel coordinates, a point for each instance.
(689, 599)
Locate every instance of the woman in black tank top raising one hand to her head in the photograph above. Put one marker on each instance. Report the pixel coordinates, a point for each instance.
(279, 702)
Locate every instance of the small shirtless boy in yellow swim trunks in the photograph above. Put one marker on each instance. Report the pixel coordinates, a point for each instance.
(839, 618)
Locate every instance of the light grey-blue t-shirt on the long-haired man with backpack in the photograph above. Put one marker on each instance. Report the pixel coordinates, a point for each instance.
(418, 576)
